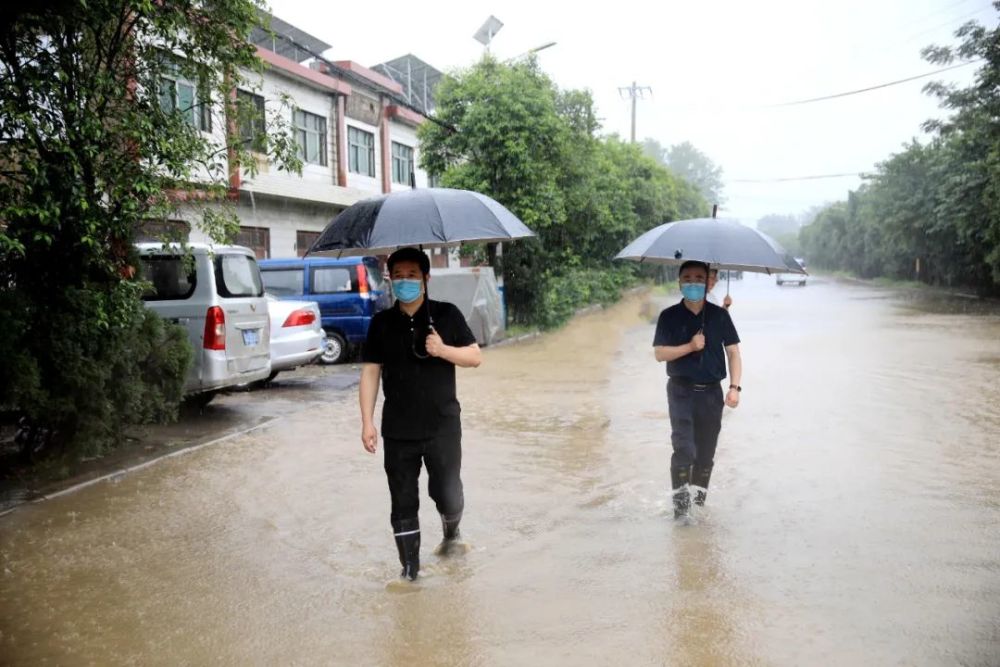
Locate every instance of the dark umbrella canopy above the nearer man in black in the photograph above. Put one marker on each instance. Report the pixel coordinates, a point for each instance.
(428, 218)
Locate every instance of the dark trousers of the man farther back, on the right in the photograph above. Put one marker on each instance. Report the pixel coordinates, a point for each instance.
(695, 422)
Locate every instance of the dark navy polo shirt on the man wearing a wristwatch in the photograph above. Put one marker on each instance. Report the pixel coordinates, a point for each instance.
(677, 325)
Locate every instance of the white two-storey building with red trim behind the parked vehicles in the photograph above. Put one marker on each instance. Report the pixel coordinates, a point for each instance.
(357, 136)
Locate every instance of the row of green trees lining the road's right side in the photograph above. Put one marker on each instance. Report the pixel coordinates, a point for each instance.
(931, 211)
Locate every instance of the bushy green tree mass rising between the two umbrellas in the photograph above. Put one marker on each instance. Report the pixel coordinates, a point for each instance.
(508, 131)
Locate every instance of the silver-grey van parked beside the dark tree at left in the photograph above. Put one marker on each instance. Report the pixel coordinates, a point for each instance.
(217, 294)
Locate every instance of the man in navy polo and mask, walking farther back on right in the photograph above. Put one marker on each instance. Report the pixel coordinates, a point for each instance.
(696, 338)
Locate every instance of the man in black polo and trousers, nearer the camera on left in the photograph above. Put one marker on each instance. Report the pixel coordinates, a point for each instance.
(412, 349)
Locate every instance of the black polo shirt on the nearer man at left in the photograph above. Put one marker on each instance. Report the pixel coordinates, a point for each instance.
(420, 400)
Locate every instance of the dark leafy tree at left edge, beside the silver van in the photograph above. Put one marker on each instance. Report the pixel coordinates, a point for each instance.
(97, 136)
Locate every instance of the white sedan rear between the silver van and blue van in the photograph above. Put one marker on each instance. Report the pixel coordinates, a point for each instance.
(297, 337)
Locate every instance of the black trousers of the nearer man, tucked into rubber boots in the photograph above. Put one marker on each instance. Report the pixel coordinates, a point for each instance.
(442, 455)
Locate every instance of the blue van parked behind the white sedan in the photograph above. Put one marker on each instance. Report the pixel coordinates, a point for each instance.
(349, 292)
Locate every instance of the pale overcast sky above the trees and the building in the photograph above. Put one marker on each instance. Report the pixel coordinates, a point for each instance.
(712, 67)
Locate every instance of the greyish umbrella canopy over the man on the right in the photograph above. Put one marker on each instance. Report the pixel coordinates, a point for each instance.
(720, 243)
